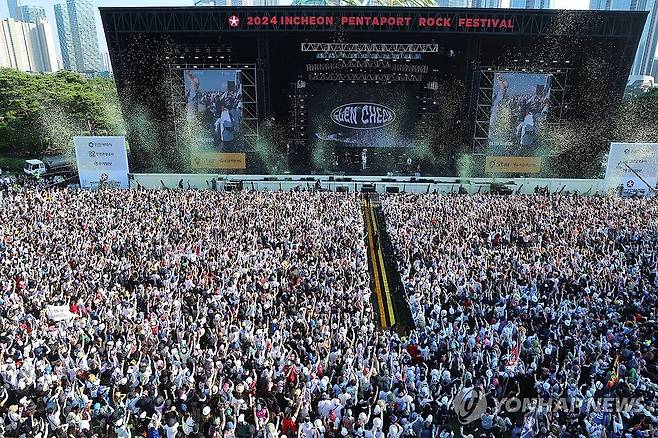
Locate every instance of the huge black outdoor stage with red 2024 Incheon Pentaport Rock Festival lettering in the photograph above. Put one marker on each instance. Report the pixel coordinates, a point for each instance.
(370, 91)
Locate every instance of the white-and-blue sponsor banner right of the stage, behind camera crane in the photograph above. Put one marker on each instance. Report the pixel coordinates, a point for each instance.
(632, 168)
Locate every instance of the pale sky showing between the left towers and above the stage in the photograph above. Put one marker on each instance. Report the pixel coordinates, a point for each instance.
(48, 5)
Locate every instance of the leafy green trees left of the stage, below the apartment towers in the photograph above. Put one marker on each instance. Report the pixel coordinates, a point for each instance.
(40, 113)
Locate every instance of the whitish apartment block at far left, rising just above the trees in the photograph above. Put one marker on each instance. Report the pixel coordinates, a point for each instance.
(27, 46)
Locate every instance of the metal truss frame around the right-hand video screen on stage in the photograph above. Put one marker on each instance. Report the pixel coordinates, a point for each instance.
(559, 87)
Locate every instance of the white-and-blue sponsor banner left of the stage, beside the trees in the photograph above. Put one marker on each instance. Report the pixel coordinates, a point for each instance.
(101, 160)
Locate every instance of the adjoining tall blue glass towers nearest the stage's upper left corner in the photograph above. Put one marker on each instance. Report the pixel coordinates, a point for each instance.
(76, 28)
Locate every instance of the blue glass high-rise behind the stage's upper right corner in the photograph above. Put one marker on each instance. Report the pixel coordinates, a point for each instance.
(646, 51)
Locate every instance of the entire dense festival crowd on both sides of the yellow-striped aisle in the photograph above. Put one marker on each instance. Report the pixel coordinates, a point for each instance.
(181, 313)
